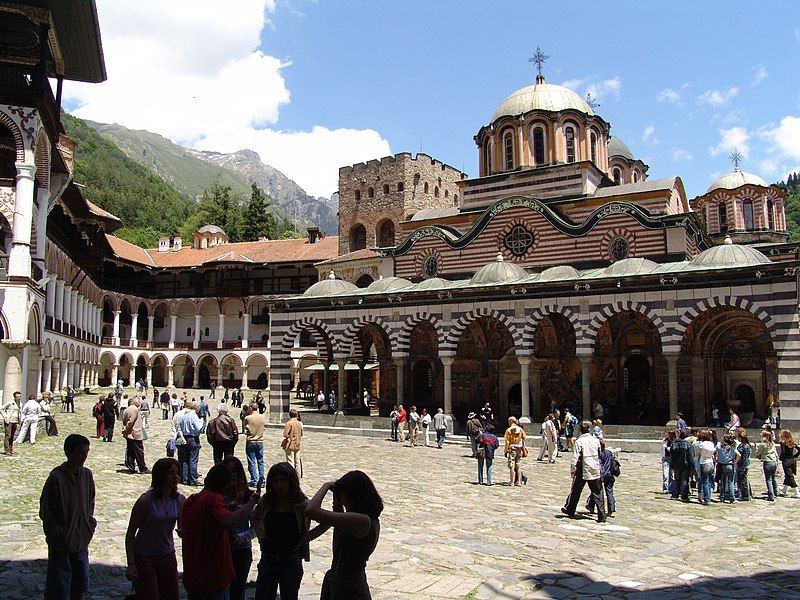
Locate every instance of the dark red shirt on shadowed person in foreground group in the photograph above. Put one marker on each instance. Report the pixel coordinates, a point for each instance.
(207, 562)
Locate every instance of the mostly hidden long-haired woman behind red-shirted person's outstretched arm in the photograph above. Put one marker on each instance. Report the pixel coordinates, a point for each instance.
(242, 534)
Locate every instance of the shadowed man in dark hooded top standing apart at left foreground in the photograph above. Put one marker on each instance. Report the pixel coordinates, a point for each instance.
(66, 508)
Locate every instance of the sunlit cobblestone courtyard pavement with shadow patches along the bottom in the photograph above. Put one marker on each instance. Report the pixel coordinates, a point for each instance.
(442, 535)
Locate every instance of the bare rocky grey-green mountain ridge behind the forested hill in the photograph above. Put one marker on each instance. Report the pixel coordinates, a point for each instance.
(192, 171)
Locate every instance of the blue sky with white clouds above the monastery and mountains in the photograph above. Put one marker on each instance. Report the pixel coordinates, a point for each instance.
(313, 85)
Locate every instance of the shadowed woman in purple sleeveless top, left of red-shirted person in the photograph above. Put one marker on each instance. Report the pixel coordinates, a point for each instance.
(149, 543)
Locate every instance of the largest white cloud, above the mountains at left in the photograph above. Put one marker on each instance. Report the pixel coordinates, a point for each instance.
(185, 70)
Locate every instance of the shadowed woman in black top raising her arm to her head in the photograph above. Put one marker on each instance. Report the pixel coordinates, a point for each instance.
(357, 507)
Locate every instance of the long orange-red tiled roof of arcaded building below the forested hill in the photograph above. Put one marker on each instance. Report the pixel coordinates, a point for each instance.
(271, 251)
